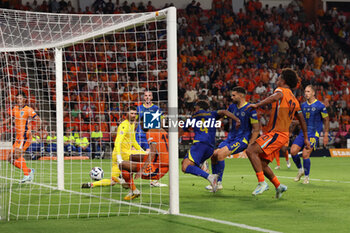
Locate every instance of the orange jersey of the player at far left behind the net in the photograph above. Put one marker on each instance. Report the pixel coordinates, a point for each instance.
(23, 117)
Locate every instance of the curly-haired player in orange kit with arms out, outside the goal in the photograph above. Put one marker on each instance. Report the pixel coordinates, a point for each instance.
(284, 107)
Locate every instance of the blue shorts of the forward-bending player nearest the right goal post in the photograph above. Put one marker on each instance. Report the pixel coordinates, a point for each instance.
(199, 152)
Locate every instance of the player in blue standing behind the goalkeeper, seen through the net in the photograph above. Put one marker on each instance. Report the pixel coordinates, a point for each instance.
(147, 106)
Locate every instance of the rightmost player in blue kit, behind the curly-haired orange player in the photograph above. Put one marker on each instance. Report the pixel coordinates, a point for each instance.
(317, 120)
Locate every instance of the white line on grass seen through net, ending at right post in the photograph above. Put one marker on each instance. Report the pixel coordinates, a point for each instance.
(91, 195)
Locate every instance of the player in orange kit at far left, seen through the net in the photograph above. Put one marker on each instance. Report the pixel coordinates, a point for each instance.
(23, 116)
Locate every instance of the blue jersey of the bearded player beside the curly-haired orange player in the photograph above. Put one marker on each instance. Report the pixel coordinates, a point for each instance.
(246, 117)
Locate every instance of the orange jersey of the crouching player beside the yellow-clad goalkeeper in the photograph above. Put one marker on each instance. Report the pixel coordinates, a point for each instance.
(160, 137)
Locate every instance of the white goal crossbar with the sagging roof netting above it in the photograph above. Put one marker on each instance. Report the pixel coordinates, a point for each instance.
(103, 25)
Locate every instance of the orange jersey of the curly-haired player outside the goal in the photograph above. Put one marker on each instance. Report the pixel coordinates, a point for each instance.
(283, 111)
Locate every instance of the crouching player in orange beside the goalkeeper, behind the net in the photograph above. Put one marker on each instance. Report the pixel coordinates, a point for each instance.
(152, 166)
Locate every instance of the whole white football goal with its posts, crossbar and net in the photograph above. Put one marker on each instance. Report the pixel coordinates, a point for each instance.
(30, 37)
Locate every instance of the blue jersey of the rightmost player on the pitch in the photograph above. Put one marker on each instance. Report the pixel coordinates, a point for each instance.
(314, 114)
